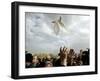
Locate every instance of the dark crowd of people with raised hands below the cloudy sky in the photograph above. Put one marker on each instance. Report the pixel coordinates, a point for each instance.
(66, 57)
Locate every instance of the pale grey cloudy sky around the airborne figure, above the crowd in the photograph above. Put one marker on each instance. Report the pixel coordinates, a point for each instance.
(40, 35)
